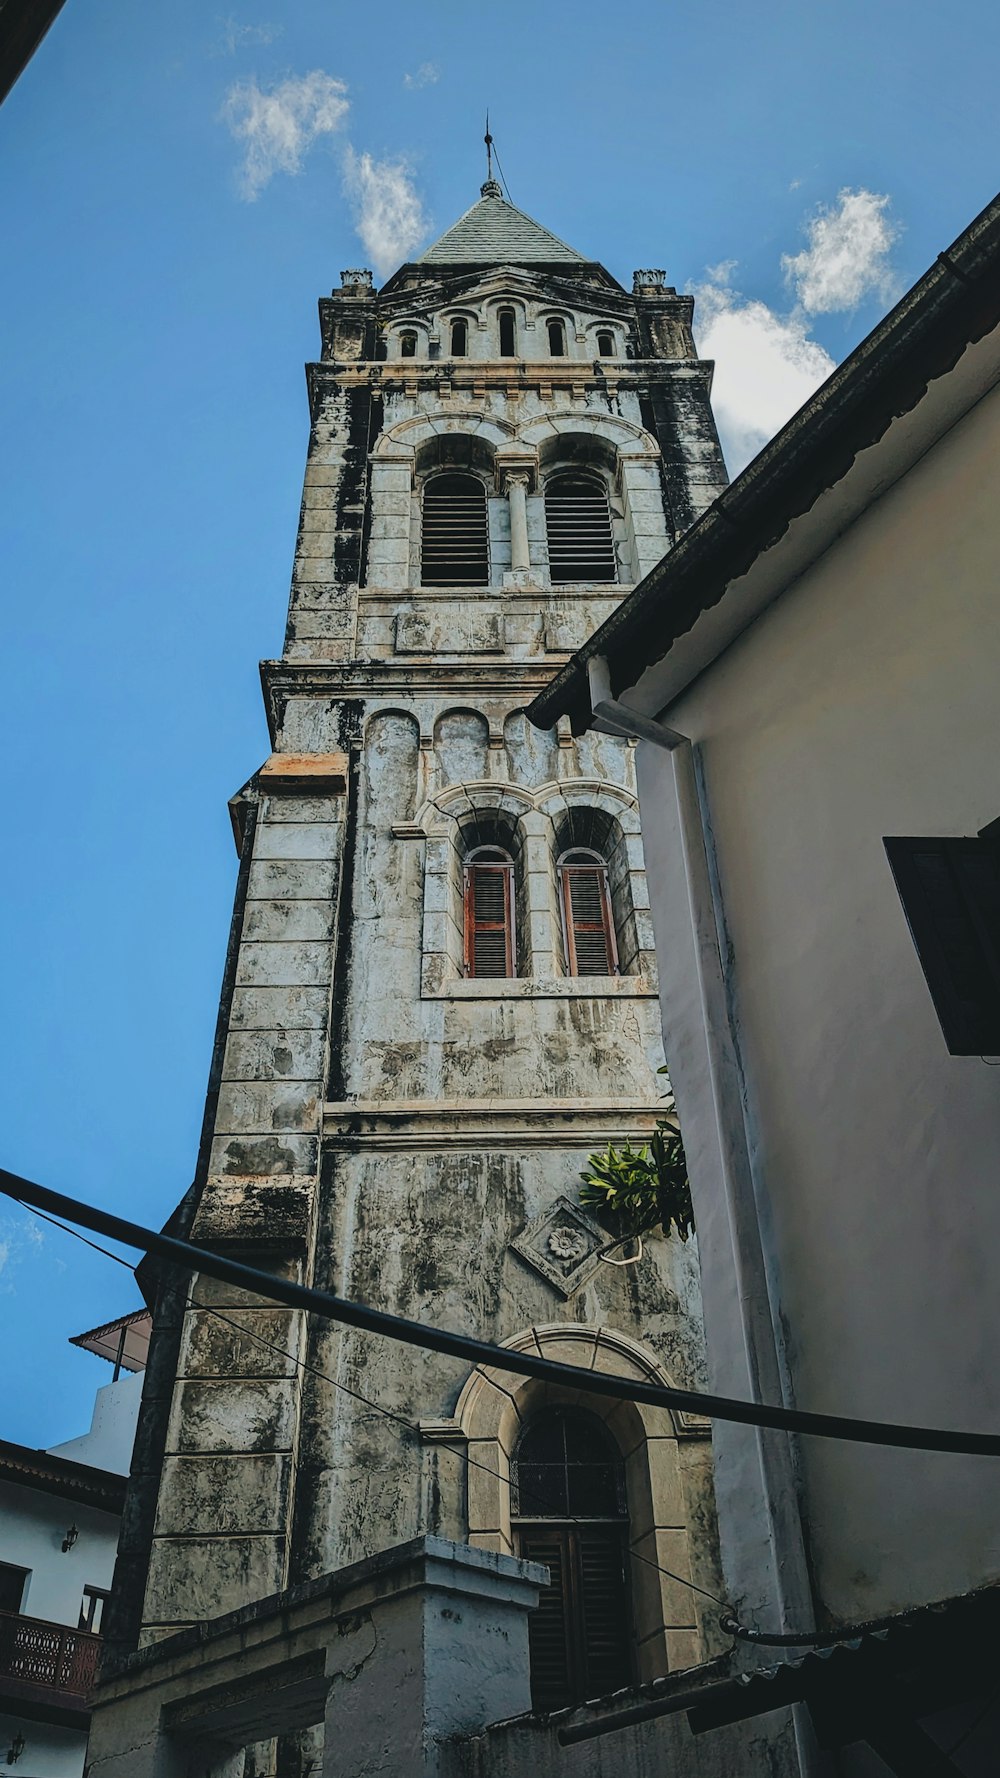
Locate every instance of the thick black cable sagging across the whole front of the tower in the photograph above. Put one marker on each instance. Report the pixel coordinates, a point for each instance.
(191, 1258)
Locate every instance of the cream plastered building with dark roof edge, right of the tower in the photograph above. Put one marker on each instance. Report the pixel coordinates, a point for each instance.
(816, 675)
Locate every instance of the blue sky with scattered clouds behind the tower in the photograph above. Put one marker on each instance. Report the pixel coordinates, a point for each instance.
(179, 188)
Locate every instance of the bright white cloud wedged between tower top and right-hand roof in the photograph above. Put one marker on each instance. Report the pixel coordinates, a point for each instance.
(766, 365)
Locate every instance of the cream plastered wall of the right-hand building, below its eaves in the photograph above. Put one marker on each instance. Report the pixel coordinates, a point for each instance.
(862, 705)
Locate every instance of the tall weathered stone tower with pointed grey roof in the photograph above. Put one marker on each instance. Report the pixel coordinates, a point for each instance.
(440, 993)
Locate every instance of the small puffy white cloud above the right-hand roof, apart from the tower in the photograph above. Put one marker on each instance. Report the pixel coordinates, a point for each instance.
(848, 257)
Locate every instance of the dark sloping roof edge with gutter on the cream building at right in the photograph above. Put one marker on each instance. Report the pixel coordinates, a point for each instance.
(953, 307)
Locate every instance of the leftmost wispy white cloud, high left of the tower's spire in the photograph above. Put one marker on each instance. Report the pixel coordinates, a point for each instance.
(278, 127)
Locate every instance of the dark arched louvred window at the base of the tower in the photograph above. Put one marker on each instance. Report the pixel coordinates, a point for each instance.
(569, 1512)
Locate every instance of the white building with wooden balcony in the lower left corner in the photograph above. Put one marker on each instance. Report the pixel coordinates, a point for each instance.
(60, 1518)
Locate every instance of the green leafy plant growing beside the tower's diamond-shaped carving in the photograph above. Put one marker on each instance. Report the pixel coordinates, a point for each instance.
(638, 1190)
